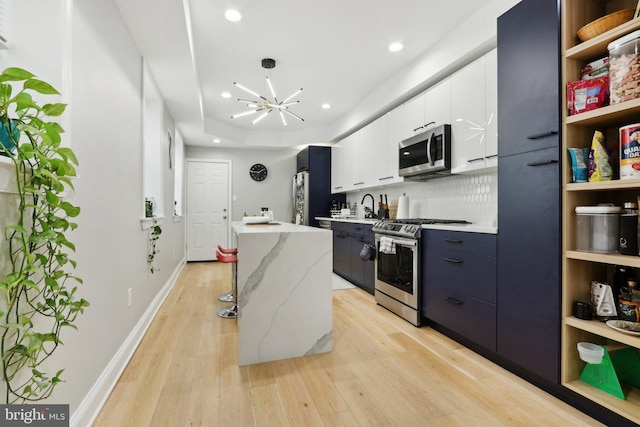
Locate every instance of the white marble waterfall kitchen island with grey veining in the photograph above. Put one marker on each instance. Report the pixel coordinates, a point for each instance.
(284, 291)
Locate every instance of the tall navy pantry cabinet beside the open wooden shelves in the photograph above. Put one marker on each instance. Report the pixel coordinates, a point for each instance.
(529, 190)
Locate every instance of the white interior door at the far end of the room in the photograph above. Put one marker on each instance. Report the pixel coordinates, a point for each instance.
(208, 213)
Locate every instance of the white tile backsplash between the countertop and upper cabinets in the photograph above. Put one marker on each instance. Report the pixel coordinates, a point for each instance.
(470, 197)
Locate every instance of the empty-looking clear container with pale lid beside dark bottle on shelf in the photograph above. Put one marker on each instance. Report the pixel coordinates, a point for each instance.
(597, 228)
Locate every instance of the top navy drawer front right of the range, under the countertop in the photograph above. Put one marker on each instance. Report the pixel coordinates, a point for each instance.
(485, 244)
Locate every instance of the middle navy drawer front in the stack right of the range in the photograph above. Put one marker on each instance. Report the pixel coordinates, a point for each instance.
(464, 272)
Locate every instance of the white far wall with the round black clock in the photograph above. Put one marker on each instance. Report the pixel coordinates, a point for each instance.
(275, 192)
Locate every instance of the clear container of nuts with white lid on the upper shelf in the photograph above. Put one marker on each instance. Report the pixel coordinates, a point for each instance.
(624, 68)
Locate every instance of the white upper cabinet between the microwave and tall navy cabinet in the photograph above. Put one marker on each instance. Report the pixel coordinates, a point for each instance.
(474, 96)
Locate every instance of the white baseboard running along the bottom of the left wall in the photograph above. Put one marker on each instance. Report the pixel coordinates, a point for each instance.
(90, 407)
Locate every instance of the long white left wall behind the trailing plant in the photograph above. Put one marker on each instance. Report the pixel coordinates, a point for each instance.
(99, 70)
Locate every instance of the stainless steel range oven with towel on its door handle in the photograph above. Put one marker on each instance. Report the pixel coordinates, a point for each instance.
(397, 265)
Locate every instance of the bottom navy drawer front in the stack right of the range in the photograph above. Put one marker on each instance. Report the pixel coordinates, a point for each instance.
(469, 317)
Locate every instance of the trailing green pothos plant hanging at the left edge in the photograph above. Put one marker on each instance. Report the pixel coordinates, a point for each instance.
(40, 290)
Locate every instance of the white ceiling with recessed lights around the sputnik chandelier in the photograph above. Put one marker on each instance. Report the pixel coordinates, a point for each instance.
(335, 50)
